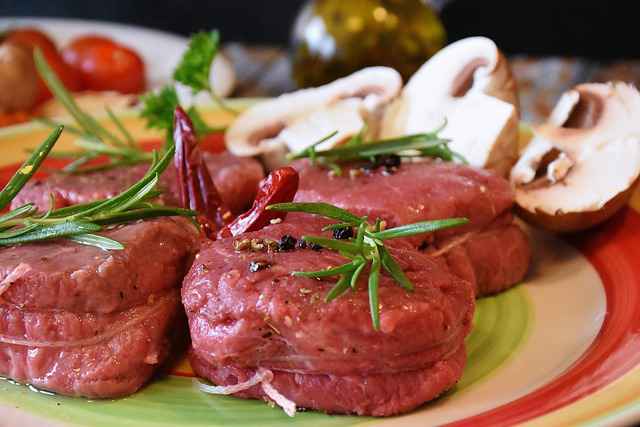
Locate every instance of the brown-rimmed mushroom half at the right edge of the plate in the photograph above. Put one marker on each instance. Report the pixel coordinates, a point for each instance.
(582, 165)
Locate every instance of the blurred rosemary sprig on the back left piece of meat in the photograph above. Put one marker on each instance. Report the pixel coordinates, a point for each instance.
(95, 139)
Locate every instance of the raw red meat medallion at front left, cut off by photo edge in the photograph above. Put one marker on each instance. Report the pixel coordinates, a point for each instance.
(81, 321)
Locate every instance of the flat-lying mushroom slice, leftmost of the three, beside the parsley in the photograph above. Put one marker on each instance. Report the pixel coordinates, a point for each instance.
(296, 120)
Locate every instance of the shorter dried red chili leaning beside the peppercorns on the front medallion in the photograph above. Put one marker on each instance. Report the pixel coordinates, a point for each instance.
(279, 186)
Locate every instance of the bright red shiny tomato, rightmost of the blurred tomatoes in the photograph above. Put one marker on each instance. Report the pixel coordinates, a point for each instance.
(106, 65)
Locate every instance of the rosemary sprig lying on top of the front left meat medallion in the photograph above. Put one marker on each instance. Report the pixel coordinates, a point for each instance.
(78, 223)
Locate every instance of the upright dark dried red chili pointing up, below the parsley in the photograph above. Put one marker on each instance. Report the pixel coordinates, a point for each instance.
(196, 188)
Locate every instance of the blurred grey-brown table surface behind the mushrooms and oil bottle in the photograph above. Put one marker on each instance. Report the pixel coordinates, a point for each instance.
(266, 71)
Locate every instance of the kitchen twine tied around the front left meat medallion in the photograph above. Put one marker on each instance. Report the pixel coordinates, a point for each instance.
(139, 315)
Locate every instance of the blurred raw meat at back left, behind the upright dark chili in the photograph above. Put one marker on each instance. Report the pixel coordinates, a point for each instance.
(236, 179)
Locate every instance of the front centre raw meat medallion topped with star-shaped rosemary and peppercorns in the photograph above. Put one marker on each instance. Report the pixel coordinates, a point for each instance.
(271, 319)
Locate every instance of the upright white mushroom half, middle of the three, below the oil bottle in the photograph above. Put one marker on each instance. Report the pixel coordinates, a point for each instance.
(468, 83)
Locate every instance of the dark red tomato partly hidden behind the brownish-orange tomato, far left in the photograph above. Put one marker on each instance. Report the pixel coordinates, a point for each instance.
(32, 38)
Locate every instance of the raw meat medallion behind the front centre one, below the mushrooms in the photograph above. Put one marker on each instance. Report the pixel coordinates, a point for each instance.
(435, 190)
